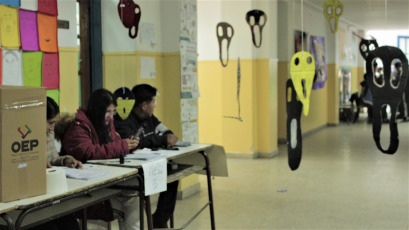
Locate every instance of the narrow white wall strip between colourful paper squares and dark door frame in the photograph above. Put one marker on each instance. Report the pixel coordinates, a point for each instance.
(66, 11)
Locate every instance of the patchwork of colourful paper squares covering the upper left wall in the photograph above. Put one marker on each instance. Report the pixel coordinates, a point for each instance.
(29, 45)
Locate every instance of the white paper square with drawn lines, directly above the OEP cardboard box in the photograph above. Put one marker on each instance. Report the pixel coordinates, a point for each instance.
(12, 67)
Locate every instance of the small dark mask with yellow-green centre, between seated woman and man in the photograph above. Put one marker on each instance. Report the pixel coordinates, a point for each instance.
(125, 100)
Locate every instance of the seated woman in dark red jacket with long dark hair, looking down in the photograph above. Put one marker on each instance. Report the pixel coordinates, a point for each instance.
(92, 136)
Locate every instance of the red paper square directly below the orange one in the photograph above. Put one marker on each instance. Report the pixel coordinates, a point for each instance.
(51, 71)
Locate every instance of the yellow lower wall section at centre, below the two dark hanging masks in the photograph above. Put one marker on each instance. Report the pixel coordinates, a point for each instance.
(256, 134)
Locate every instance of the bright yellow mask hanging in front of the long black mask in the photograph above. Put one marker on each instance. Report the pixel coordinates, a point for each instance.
(302, 70)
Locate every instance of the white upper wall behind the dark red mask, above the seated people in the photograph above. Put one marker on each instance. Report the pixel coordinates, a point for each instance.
(163, 15)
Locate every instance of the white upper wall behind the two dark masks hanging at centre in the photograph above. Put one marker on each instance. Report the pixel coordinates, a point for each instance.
(210, 13)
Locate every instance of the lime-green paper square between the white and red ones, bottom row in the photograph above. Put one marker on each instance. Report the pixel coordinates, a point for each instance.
(32, 68)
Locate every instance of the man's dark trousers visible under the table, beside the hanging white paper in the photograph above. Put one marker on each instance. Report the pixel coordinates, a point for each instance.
(166, 206)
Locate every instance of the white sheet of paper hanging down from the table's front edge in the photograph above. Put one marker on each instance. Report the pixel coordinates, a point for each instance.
(155, 176)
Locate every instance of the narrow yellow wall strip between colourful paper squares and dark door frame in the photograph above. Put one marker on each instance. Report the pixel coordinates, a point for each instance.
(69, 88)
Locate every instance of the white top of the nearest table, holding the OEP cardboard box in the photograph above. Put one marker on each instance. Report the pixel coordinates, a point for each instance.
(76, 186)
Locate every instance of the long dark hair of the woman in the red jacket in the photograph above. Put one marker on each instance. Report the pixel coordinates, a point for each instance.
(97, 107)
